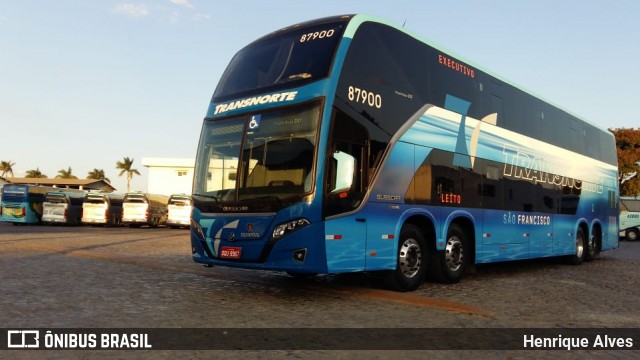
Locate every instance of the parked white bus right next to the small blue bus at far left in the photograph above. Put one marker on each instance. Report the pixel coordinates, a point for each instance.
(62, 207)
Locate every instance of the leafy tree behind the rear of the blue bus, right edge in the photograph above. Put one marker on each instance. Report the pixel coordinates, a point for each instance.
(628, 146)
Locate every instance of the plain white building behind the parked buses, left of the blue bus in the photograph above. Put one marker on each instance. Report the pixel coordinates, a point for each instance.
(169, 175)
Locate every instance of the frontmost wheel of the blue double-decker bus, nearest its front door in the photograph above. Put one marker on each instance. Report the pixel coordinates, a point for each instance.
(411, 265)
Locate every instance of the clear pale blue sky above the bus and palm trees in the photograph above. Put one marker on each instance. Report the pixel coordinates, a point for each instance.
(85, 83)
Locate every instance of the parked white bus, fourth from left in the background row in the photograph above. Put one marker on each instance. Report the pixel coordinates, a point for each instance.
(140, 208)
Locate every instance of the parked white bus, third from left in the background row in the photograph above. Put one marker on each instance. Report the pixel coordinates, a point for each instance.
(102, 209)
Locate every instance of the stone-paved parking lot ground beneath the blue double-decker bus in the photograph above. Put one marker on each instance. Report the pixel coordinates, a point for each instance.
(92, 277)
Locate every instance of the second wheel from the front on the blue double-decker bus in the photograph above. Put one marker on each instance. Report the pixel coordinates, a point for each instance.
(450, 264)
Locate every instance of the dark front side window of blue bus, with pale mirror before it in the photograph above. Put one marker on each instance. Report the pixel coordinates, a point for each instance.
(347, 165)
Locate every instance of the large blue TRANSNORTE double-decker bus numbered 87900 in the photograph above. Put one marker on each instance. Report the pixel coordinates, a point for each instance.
(349, 144)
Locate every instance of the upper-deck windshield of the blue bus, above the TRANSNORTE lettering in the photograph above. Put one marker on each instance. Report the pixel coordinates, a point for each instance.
(289, 58)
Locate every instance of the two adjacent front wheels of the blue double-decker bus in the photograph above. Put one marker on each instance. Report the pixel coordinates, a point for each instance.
(415, 259)
